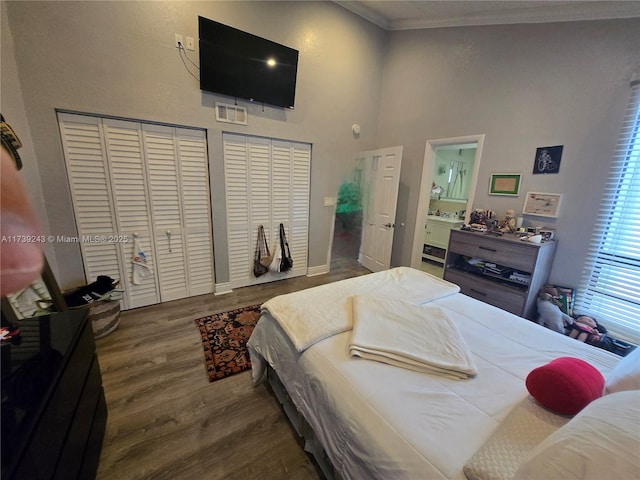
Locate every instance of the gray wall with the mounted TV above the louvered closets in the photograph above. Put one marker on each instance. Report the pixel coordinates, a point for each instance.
(118, 58)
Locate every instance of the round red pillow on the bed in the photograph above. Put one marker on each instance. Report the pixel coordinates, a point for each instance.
(565, 385)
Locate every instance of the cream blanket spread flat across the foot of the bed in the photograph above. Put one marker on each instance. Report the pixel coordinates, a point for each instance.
(311, 315)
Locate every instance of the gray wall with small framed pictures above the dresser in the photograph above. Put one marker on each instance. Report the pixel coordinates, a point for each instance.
(524, 86)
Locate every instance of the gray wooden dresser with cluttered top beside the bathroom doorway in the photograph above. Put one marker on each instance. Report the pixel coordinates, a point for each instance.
(503, 271)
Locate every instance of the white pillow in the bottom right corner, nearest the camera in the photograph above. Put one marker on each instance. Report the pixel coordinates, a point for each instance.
(602, 441)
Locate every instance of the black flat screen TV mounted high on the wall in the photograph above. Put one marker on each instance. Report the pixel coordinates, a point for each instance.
(242, 65)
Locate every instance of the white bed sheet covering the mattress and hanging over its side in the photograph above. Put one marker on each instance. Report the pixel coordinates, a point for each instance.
(378, 421)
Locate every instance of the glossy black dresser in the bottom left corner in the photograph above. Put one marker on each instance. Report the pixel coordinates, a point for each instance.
(53, 407)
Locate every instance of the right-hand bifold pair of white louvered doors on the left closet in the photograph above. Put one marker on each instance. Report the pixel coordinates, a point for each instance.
(177, 172)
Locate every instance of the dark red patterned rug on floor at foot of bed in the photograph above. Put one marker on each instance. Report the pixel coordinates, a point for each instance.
(224, 339)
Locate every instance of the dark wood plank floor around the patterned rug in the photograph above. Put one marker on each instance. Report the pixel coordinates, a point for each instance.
(166, 421)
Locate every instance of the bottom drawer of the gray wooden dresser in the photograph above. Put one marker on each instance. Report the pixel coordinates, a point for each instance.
(502, 296)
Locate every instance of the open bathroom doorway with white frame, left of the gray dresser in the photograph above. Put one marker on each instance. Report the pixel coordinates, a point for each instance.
(447, 188)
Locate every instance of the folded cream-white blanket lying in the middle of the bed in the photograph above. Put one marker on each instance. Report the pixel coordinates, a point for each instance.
(416, 337)
